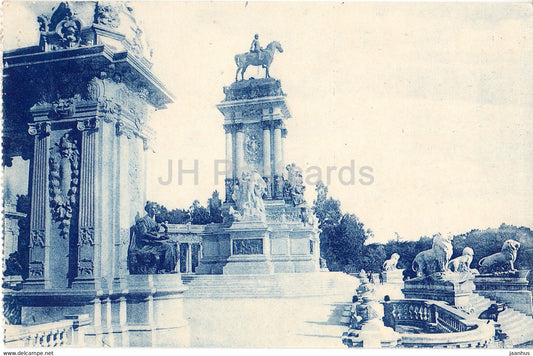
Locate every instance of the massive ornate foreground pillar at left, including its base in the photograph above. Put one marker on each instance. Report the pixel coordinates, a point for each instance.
(85, 94)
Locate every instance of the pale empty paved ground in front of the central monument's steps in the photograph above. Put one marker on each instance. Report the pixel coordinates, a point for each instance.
(306, 322)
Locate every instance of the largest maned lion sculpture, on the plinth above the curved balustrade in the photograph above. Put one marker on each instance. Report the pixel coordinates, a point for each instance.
(435, 259)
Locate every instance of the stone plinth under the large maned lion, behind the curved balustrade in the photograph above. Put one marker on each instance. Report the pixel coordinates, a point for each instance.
(455, 290)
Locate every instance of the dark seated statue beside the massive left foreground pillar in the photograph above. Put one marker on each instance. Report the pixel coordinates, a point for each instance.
(149, 252)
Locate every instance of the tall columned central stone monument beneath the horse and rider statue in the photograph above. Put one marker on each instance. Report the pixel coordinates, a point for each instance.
(267, 226)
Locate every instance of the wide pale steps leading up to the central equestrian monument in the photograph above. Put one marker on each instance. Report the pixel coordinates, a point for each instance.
(279, 285)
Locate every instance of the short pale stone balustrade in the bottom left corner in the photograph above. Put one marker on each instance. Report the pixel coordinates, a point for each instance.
(66, 332)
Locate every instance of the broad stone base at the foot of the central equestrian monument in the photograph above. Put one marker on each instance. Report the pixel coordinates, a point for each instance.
(288, 245)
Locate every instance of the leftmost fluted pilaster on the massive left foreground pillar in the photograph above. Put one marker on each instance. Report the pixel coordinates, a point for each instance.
(39, 246)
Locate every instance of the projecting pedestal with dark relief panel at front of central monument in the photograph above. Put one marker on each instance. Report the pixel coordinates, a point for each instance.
(250, 248)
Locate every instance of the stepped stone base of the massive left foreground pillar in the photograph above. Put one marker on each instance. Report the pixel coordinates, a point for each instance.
(148, 313)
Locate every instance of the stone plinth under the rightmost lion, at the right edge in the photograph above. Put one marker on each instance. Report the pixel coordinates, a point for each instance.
(508, 287)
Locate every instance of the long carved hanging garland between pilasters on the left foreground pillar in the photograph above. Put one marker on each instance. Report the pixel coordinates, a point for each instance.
(64, 181)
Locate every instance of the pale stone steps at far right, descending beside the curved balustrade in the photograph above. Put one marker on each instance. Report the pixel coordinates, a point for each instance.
(517, 325)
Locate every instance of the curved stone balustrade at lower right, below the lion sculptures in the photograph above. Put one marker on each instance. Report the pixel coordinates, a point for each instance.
(441, 324)
